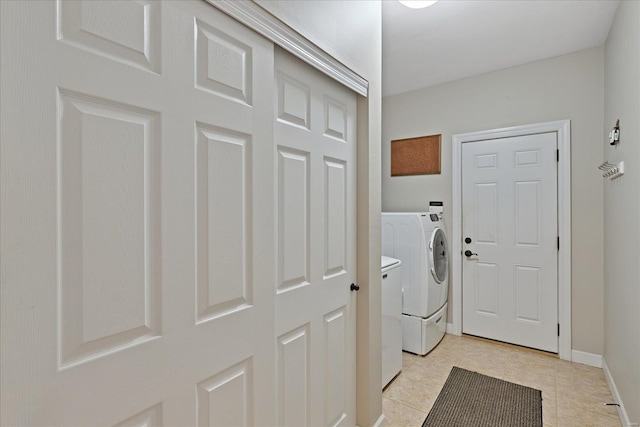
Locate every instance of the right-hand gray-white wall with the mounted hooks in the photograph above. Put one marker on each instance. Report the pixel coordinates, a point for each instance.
(622, 208)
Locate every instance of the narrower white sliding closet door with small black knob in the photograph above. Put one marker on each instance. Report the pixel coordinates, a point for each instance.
(315, 137)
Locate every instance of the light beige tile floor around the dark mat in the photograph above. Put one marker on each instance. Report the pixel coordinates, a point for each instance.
(573, 395)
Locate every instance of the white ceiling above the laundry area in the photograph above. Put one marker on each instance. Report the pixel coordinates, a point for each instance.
(455, 39)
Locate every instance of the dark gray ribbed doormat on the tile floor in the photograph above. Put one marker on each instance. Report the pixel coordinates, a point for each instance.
(470, 399)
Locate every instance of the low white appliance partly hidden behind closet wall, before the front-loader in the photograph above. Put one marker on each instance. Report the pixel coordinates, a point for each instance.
(391, 319)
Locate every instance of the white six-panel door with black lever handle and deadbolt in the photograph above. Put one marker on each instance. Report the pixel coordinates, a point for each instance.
(509, 209)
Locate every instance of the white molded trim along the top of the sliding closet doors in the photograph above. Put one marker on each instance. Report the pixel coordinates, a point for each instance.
(262, 22)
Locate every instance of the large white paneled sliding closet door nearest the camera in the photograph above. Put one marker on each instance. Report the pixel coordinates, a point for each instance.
(138, 234)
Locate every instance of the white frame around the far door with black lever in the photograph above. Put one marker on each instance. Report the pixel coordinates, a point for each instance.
(563, 130)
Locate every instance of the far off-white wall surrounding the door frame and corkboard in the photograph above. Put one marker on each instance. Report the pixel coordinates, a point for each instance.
(566, 87)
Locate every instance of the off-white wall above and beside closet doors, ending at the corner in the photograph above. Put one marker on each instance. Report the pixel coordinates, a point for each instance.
(351, 31)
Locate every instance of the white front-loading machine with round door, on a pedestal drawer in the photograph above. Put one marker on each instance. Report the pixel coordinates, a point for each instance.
(418, 239)
